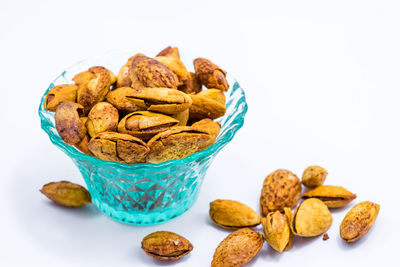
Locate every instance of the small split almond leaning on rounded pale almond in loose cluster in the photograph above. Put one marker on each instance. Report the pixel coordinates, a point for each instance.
(277, 230)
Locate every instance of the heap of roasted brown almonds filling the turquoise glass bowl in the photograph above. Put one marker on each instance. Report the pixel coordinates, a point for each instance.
(155, 109)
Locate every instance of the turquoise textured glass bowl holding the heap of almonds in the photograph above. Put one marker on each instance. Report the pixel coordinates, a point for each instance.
(144, 194)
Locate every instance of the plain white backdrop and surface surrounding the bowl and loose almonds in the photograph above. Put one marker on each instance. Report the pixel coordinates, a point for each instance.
(322, 84)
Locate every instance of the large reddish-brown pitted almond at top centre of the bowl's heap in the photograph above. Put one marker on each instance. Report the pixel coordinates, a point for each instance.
(147, 72)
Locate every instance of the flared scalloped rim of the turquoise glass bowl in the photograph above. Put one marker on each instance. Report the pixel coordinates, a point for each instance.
(75, 153)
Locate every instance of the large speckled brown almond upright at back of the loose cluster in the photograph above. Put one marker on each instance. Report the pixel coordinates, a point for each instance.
(281, 189)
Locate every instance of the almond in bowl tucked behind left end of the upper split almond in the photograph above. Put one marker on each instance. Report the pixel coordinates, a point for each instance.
(118, 98)
